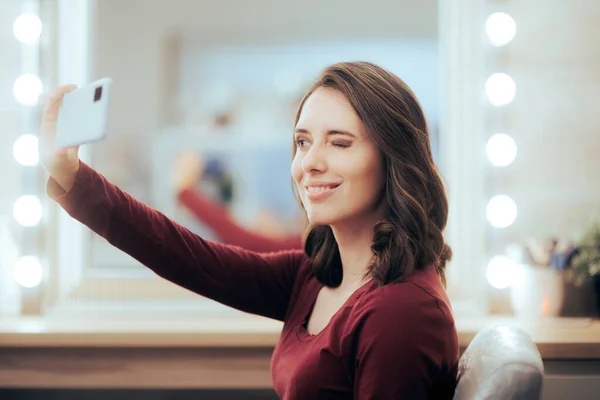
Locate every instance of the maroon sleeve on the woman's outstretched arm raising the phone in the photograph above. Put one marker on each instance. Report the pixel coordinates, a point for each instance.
(251, 282)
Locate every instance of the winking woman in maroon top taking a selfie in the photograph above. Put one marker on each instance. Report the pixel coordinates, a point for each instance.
(365, 312)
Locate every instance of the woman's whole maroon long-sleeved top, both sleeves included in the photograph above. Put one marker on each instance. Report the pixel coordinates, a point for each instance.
(396, 341)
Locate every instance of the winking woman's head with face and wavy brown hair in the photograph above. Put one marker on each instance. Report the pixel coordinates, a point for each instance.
(368, 163)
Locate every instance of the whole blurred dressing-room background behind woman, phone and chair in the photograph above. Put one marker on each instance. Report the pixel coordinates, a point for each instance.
(201, 116)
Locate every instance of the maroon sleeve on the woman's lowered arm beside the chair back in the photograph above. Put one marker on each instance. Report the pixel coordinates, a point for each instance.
(402, 351)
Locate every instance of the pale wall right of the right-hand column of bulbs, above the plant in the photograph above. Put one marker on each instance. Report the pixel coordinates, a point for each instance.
(555, 117)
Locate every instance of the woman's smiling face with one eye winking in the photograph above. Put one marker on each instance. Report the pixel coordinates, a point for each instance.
(337, 169)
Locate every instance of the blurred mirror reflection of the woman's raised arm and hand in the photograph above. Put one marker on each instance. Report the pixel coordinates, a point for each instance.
(188, 170)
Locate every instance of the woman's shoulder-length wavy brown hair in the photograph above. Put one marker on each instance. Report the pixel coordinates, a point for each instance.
(410, 236)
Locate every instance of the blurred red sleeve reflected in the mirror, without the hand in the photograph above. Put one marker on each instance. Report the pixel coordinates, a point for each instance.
(218, 220)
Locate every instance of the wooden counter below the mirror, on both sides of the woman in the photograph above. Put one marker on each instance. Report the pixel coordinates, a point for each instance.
(231, 352)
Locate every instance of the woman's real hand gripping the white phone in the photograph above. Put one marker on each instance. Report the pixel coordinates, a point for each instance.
(61, 163)
